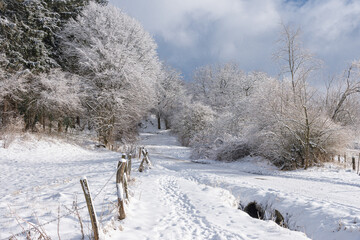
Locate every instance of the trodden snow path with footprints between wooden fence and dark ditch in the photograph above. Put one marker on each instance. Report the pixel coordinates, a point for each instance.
(170, 203)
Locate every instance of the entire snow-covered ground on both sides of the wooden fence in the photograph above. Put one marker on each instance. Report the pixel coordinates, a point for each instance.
(177, 198)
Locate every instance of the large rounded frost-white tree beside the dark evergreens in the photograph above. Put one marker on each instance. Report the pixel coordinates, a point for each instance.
(118, 62)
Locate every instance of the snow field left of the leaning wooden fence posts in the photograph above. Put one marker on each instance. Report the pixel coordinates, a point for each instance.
(39, 175)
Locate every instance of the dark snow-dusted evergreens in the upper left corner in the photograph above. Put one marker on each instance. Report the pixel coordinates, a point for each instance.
(28, 31)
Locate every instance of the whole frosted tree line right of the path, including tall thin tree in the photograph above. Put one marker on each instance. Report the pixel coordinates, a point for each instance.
(229, 114)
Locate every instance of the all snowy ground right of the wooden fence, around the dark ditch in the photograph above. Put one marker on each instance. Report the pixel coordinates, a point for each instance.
(201, 199)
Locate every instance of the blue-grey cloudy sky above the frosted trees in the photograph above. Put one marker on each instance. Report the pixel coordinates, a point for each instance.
(193, 33)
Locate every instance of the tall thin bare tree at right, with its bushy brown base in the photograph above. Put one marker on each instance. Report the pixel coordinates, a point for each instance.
(300, 126)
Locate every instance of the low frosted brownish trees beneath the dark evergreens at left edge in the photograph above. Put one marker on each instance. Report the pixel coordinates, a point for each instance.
(52, 96)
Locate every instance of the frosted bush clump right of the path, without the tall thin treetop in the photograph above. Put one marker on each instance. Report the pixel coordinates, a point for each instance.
(292, 129)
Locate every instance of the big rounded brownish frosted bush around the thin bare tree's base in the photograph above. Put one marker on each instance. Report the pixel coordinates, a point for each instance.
(293, 134)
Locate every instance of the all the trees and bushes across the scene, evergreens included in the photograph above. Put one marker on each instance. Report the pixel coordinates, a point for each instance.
(88, 66)
